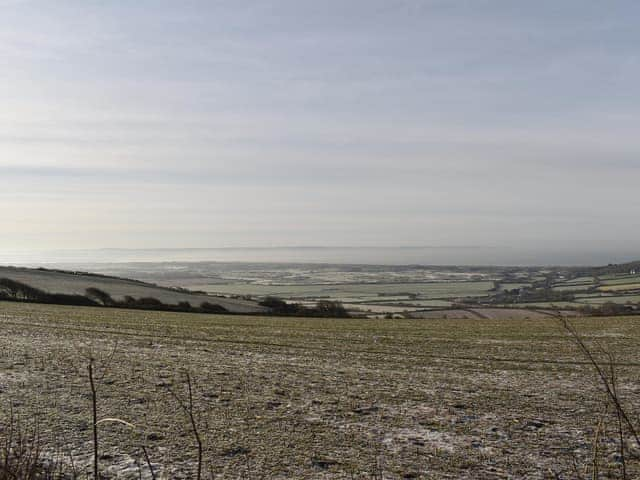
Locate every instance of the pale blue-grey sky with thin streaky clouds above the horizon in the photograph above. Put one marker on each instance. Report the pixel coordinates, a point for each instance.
(164, 124)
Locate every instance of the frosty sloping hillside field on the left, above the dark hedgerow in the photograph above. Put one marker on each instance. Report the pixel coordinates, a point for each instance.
(76, 283)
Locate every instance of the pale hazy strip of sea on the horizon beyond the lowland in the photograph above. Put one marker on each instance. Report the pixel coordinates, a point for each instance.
(472, 255)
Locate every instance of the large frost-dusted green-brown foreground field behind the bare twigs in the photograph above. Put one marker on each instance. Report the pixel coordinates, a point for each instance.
(316, 398)
